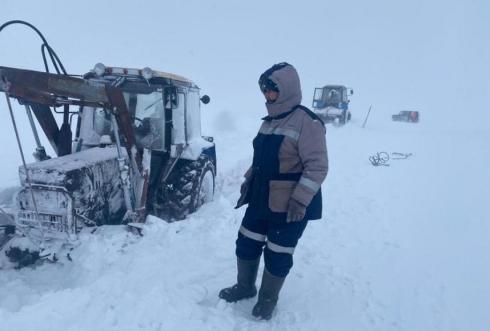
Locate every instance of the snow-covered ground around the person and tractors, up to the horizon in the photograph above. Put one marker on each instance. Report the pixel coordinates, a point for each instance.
(401, 247)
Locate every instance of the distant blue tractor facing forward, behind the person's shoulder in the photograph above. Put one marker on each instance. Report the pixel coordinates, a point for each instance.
(331, 103)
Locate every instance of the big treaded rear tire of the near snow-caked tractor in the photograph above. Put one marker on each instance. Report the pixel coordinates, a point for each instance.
(188, 187)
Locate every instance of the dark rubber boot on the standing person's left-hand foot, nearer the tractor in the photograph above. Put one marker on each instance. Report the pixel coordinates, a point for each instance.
(245, 286)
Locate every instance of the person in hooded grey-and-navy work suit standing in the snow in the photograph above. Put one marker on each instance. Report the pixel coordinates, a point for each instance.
(282, 189)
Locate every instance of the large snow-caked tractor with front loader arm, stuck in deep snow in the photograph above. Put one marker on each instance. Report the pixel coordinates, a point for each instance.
(128, 144)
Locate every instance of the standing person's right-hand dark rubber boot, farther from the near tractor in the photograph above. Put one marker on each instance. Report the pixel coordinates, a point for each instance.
(268, 295)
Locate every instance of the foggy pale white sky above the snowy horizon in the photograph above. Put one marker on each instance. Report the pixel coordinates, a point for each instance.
(432, 56)
